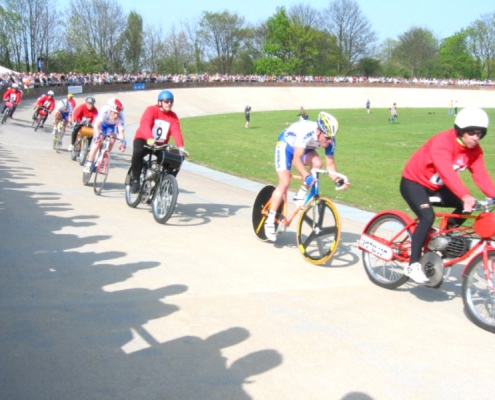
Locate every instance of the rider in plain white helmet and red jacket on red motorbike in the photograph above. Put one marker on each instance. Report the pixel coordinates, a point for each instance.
(433, 171)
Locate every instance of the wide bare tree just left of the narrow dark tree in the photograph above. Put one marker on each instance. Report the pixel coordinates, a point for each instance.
(96, 28)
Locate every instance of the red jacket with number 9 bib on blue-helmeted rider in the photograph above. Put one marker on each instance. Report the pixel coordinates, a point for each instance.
(159, 125)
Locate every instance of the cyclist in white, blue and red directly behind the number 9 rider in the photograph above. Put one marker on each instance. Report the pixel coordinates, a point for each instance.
(110, 120)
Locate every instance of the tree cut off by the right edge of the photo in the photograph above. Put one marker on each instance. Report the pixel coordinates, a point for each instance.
(481, 42)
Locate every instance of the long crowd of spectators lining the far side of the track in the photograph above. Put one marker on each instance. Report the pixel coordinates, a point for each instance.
(35, 79)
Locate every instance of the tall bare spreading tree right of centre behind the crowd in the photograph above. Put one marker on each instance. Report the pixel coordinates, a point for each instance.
(352, 30)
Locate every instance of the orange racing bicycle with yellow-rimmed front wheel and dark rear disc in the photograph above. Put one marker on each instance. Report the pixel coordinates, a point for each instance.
(318, 228)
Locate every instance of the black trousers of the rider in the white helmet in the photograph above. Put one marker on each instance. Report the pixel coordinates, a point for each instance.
(417, 197)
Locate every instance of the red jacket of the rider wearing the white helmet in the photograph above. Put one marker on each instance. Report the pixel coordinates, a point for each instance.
(439, 160)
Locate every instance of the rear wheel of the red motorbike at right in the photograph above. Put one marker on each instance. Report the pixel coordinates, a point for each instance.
(388, 274)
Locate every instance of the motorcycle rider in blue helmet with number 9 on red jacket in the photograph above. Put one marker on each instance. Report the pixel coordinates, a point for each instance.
(157, 124)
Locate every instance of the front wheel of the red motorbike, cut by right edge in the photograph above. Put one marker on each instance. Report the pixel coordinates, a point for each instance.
(478, 299)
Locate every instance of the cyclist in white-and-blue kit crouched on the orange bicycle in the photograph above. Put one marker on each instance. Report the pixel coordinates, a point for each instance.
(297, 145)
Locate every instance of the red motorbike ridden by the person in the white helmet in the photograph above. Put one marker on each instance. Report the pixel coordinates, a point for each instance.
(386, 244)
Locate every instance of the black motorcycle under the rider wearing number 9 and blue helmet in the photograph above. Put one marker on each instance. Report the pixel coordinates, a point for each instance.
(157, 183)
